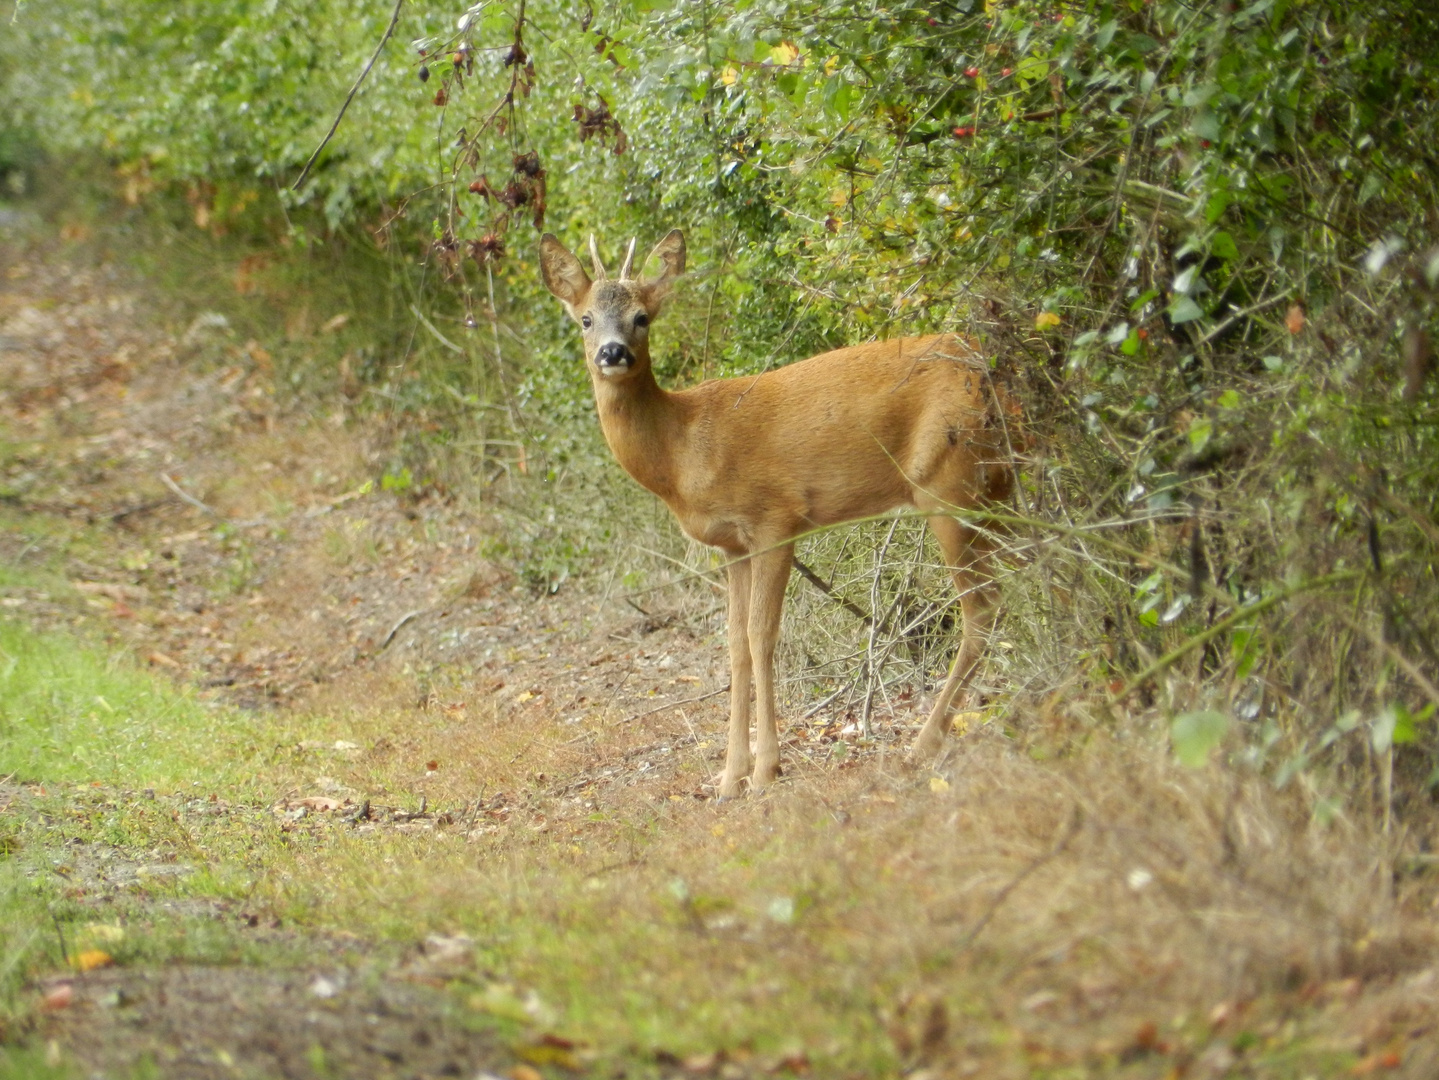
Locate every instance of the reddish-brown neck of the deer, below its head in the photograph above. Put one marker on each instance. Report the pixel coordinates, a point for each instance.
(644, 428)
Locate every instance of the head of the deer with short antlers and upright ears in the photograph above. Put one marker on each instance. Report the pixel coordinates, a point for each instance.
(614, 314)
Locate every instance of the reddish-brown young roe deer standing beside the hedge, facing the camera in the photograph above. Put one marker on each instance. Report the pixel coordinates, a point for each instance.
(750, 464)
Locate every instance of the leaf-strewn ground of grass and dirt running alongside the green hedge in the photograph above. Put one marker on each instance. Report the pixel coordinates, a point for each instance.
(296, 783)
